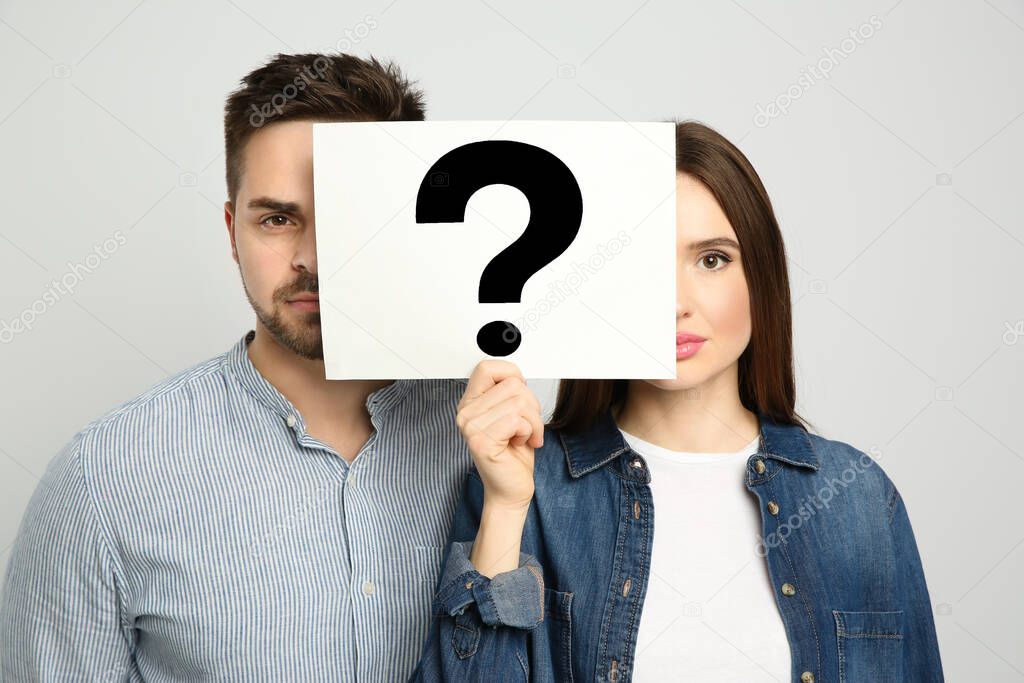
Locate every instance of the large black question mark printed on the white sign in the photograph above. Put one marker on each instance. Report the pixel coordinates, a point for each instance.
(556, 216)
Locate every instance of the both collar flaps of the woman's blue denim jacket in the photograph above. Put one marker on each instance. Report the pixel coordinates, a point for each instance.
(604, 442)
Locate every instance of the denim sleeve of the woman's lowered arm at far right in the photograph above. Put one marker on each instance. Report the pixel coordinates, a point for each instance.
(921, 648)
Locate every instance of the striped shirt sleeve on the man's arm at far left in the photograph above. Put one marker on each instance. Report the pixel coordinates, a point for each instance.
(61, 612)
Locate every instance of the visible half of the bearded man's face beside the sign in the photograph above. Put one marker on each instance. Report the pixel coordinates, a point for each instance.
(274, 240)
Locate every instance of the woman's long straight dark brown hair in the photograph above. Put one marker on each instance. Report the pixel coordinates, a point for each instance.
(766, 378)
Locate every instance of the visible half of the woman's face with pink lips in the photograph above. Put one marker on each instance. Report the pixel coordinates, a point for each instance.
(712, 301)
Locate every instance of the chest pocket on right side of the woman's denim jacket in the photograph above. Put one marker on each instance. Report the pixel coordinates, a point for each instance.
(871, 647)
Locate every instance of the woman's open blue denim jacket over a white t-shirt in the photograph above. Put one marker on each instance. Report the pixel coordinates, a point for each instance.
(836, 536)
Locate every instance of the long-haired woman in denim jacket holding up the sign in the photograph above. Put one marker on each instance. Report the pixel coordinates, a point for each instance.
(557, 573)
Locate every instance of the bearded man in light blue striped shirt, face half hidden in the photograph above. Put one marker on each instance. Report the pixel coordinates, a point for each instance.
(247, 520)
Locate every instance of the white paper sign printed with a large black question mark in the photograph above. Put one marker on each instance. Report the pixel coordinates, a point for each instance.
(594, 219)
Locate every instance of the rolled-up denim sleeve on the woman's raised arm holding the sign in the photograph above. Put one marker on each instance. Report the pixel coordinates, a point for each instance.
(481, 626)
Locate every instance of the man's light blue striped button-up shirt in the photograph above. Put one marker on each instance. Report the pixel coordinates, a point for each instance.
(198, 533)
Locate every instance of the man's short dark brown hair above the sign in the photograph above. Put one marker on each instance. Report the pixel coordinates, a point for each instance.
(319, 88)
